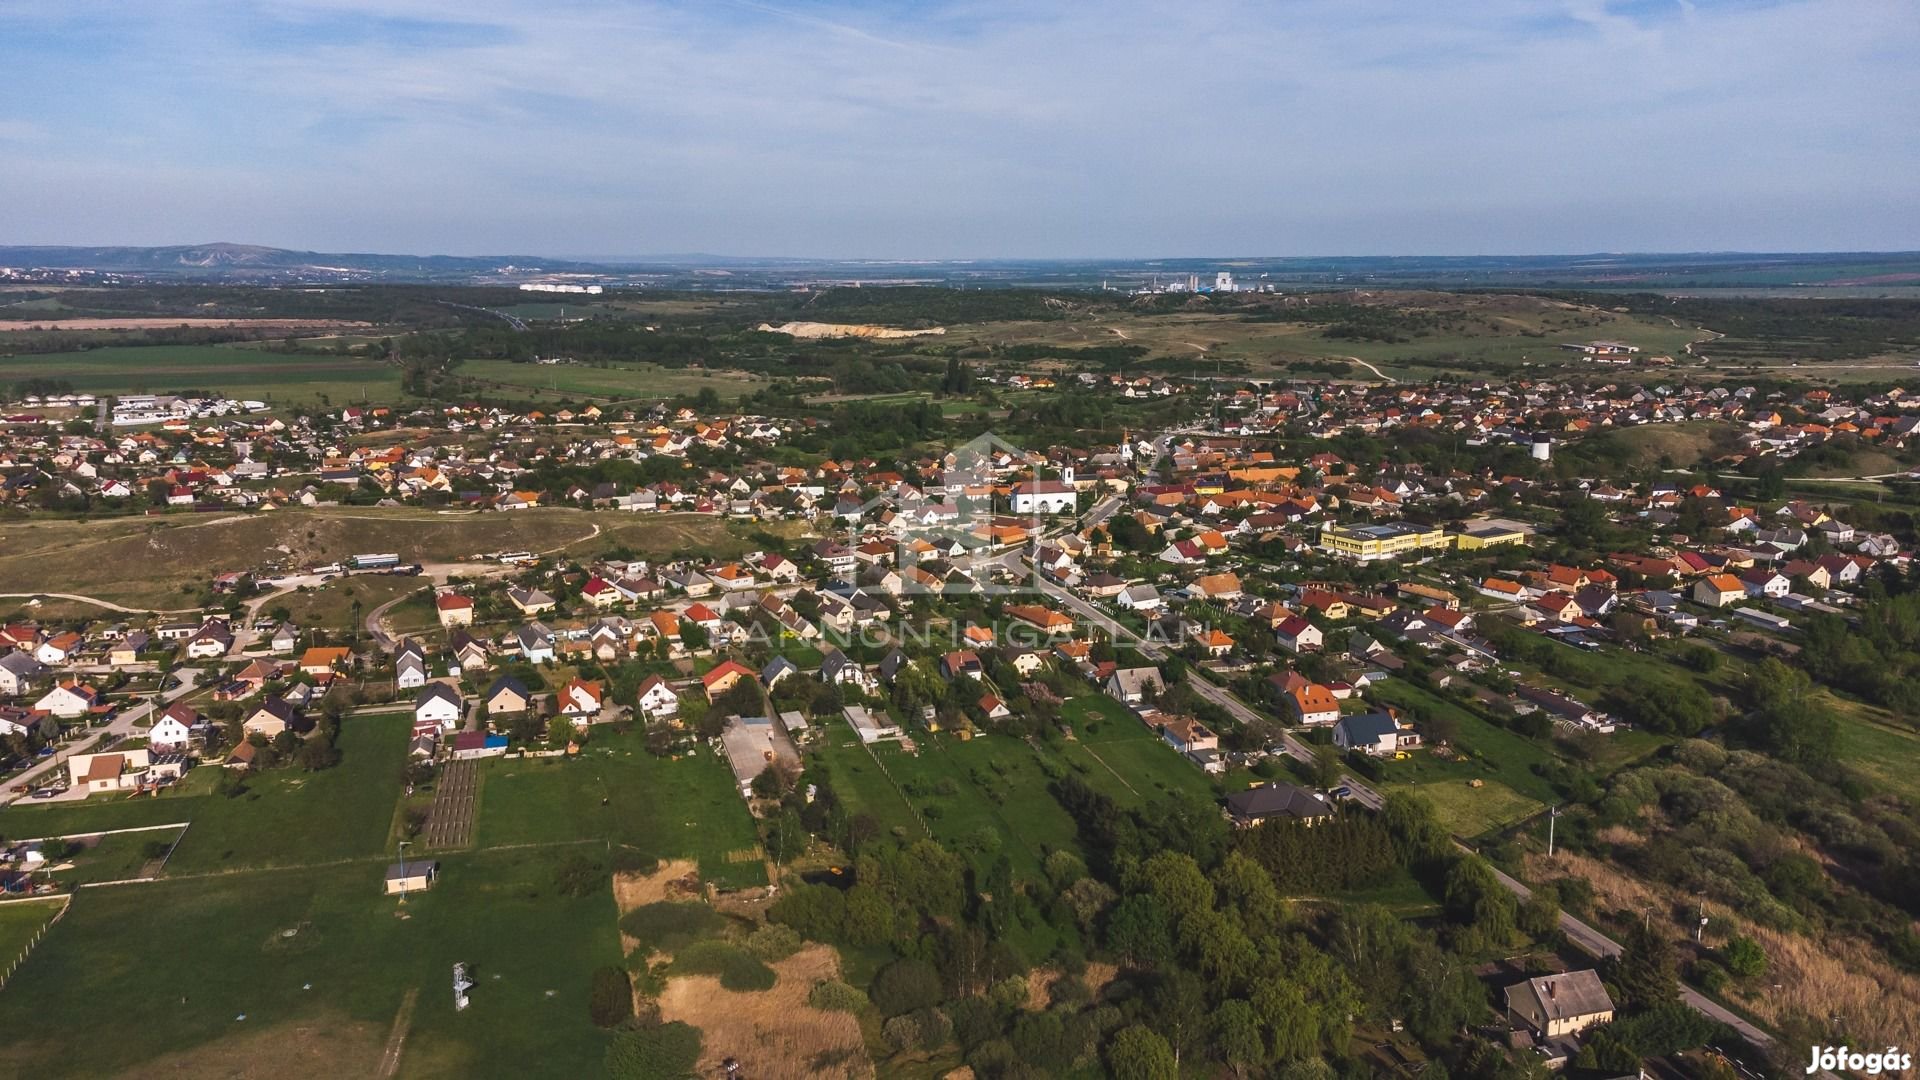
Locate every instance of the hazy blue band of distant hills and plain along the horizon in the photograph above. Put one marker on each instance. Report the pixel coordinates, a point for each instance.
(1863, 274)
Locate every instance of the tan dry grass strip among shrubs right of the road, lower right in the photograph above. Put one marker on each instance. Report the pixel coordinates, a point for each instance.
(1831, 977)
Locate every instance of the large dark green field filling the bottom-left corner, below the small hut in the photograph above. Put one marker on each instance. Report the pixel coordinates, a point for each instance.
(237, 996)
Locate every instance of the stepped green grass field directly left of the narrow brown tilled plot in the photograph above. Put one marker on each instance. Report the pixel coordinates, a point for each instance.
(293, 818)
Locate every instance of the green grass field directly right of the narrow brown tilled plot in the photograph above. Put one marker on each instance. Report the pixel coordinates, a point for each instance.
(661, 808)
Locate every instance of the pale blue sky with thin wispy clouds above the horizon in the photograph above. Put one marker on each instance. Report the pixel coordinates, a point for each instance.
(963, 130)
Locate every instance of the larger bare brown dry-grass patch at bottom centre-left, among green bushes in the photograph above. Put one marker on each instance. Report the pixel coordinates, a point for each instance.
(775, 1033)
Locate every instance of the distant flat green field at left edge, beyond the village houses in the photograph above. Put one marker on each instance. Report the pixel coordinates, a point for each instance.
(229, 370)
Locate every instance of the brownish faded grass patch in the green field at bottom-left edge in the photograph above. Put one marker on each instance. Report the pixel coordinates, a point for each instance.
(322, 1048)
